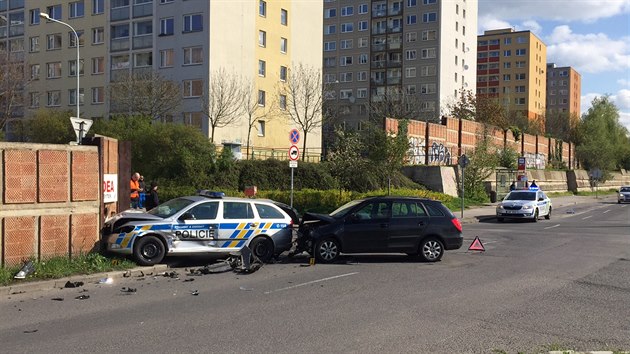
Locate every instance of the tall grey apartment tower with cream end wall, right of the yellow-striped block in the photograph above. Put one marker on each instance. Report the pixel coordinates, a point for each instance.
(419, 48)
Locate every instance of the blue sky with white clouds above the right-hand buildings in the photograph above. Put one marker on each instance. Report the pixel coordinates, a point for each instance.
(592, 36)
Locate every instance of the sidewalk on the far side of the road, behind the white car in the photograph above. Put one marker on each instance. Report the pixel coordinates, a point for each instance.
(488, 211)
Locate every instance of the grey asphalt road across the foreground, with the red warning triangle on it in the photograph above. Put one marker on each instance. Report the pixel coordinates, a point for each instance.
(563, 282)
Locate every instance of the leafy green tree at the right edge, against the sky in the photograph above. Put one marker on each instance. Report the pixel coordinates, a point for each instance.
(602, 140)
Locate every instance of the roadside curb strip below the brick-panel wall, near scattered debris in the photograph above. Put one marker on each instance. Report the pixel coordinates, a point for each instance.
(86, 278)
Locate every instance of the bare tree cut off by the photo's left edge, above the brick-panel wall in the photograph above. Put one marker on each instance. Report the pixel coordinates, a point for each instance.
(12, 84)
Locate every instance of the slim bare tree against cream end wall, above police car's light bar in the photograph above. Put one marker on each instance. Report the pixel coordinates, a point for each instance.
(222, 103)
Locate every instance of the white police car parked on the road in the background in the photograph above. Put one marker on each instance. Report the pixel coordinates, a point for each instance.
(524, 204)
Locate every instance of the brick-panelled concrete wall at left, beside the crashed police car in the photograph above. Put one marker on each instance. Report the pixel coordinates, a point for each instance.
(50, 200)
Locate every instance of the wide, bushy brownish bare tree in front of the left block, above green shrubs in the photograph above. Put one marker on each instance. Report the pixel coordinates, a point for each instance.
(145, 93)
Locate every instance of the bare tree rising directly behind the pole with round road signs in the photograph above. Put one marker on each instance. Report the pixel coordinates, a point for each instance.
(303, 92)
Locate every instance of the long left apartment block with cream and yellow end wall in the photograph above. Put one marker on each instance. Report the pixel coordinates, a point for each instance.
(186, 41)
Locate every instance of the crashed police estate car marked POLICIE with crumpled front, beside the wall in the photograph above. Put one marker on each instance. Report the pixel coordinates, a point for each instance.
(208, 223)
